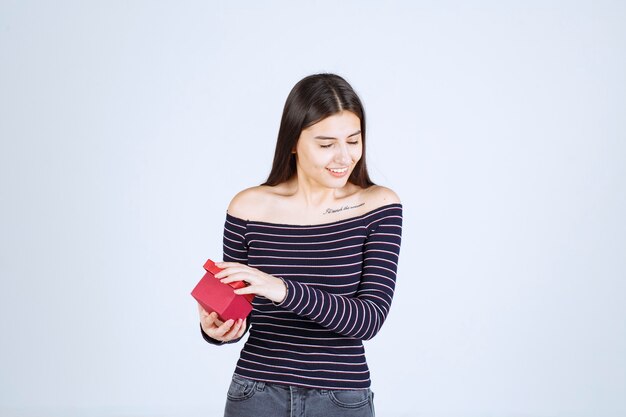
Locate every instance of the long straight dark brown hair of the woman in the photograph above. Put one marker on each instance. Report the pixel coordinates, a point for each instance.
(312, 99)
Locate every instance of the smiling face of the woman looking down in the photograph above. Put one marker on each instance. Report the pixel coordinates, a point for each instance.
(327, 152)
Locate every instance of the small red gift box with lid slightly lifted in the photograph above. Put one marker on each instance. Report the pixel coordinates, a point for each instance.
(214, 295)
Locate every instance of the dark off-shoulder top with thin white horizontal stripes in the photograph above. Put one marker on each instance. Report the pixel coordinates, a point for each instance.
(340, 279)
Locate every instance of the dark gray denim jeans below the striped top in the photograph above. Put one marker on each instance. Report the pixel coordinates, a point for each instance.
(249, 398)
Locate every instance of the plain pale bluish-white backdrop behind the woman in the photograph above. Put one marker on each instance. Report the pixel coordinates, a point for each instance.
(126, 128)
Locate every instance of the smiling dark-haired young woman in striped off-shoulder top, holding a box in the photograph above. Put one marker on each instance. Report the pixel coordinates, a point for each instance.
(318, 244)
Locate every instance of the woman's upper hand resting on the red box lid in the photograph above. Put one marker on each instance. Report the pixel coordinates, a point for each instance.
(260, 283)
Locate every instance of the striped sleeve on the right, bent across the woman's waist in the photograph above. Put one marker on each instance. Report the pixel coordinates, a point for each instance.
(362, 315)
